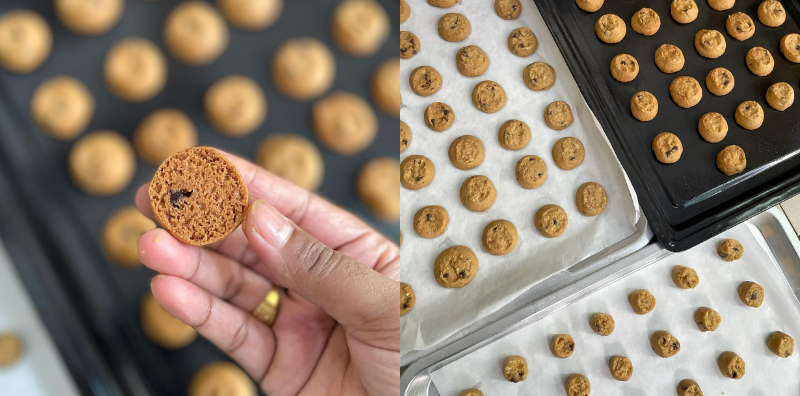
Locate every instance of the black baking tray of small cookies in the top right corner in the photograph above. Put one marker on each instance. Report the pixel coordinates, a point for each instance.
(689, 201)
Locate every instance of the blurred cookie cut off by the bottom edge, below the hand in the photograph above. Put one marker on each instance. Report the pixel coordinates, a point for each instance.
(221, 378)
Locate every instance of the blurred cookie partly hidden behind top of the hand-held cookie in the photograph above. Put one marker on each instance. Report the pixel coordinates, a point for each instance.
(162, 133)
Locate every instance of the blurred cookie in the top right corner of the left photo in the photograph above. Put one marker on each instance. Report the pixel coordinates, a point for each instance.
(359, 27)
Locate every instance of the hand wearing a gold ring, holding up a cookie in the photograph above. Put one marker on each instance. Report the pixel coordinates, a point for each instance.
(338, 326)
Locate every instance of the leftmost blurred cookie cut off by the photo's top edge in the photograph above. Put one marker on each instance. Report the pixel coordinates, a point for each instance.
(89, 17)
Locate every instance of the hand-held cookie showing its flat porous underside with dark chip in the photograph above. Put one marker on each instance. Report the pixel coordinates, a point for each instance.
(198, 196)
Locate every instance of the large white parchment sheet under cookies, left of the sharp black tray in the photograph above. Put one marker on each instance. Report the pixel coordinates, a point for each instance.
(440, 312)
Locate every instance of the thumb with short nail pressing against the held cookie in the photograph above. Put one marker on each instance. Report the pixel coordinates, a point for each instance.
(355, 295)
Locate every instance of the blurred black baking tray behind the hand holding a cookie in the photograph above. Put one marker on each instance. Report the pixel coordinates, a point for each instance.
(67, 223)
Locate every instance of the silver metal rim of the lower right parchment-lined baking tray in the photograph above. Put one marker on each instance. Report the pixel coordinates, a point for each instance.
(772, 227)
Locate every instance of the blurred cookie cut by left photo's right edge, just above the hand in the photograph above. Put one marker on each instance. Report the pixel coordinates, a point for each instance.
(379, 189)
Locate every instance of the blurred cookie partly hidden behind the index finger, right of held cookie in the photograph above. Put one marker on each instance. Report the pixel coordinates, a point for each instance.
(297, 160)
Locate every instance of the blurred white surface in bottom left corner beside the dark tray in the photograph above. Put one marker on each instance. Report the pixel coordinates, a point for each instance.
(40, 371)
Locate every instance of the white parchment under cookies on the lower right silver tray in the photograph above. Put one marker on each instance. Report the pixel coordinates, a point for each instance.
(743, 330)
